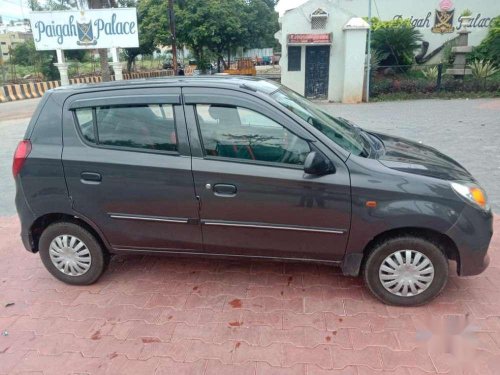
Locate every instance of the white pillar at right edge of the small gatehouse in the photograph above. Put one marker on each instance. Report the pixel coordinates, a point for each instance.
(354, 60)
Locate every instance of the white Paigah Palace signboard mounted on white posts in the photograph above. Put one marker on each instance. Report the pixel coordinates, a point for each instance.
(86, 29)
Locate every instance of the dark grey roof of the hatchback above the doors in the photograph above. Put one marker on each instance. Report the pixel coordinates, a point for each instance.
(244, 82)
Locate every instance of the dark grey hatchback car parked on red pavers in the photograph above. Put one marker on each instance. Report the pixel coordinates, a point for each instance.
(240, 167)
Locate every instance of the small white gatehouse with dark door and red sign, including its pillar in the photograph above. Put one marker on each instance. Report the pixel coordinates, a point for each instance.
(323, 51)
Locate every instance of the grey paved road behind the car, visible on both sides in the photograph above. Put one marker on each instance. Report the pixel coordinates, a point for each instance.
(467, 130)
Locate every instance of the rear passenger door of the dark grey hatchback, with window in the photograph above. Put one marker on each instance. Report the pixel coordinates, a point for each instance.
(127, 164)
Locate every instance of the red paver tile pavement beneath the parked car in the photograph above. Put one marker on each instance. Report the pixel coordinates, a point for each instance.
(161, 315)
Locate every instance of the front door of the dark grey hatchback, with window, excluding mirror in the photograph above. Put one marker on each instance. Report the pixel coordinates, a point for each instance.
(255, 199)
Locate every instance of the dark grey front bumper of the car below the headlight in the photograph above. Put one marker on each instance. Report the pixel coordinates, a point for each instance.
(472, 235)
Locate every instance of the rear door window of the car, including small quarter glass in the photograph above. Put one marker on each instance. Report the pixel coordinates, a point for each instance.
(150, 127)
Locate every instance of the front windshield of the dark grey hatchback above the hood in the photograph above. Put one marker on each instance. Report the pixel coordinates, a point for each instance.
(341, 132)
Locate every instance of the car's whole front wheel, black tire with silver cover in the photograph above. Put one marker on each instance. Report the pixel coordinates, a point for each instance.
(418, 263)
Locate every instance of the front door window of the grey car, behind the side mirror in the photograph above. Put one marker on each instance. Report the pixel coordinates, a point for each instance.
(240, 133)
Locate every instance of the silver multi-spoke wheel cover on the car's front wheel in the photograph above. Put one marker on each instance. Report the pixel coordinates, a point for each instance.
(406, 273)
